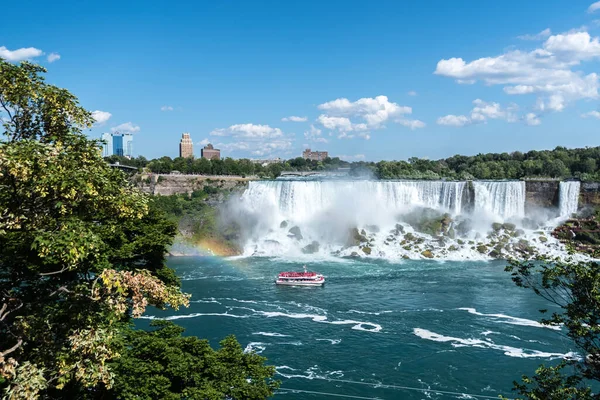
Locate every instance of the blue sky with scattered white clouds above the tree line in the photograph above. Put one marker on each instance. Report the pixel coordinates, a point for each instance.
(368, 81)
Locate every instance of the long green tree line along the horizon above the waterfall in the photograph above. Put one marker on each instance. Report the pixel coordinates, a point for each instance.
(560, 163)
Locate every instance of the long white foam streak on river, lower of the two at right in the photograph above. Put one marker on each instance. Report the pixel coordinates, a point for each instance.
(489, 344)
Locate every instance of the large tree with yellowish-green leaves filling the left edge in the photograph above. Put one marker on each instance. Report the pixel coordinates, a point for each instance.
(81, 254)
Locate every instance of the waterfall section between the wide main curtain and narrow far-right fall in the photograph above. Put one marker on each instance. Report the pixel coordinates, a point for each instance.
(503, 199)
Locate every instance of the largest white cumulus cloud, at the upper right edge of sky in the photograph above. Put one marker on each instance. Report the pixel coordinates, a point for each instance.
(547, 71)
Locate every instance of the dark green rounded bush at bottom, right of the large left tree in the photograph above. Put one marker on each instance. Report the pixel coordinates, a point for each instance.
(163, 364)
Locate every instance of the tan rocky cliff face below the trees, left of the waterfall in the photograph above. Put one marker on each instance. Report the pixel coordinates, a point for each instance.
(166, 185)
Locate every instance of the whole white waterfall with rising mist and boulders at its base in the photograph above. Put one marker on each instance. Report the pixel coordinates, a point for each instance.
(393, 218)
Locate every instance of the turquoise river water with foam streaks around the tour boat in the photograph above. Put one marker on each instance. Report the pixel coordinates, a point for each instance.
(410, 330)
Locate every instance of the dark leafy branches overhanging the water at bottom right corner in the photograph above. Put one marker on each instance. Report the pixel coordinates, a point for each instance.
(575, 288)
